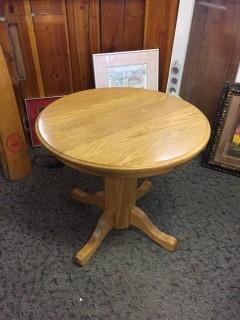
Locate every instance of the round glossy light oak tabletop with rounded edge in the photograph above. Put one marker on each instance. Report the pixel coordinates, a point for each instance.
(128, 131)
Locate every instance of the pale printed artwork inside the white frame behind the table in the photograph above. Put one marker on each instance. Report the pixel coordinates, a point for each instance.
(127, 76)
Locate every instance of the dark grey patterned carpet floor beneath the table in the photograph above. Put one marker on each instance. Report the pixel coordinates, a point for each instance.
(130, 277)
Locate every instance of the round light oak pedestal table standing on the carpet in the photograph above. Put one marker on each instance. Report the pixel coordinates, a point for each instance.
(122, 134)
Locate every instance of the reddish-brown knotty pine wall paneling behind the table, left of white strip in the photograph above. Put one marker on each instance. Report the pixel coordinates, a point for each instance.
(52, 41)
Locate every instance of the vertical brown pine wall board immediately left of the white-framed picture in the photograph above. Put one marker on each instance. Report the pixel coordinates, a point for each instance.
(83, 18)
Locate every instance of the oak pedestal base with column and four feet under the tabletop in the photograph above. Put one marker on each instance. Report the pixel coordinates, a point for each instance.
(120, 211)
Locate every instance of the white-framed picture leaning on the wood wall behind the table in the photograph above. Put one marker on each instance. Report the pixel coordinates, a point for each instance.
(137, 69)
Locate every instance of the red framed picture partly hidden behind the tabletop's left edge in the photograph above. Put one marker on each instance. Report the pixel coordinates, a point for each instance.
(33, 107)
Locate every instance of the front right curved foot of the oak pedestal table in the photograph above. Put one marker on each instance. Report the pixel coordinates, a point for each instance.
(140, 220)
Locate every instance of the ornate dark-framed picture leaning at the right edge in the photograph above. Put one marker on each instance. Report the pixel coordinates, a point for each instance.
(223, 151)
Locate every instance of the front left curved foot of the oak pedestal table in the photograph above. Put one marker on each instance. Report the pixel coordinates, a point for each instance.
(105, 224)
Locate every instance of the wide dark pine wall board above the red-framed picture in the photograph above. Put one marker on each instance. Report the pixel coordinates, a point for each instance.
(50, 26)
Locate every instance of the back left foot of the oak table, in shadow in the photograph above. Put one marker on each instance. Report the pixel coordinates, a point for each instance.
(96, 199)
